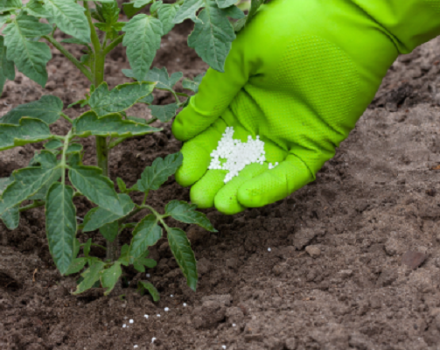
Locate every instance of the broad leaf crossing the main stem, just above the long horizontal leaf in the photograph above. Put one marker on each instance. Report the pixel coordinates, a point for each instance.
(122, 97)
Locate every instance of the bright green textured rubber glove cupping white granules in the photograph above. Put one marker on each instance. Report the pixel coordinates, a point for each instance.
(299, 75)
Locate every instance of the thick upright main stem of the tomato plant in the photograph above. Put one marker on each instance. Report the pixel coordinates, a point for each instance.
(101, 141)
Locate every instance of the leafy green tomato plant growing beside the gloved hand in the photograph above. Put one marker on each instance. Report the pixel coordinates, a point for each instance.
(56, 174)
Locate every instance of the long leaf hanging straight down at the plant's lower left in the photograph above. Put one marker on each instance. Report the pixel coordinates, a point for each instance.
(61, 225)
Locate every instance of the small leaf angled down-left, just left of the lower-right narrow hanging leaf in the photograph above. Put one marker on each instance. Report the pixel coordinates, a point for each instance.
(146, 234)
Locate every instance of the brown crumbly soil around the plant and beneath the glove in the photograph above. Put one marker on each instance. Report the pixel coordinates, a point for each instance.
(351, 261)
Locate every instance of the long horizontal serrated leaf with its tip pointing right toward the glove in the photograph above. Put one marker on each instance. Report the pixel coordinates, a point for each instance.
(109, 125)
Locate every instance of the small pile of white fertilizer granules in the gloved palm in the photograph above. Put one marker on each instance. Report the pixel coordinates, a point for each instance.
(236, 154)
